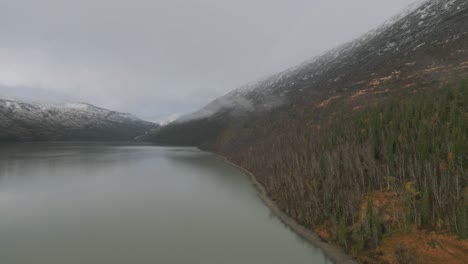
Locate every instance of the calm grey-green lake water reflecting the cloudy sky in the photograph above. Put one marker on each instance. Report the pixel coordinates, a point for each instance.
(67, 203)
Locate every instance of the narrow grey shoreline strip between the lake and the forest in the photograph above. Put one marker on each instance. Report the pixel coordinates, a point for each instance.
(335, 254)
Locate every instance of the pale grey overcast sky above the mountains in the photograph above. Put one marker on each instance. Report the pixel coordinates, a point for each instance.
(155, 58)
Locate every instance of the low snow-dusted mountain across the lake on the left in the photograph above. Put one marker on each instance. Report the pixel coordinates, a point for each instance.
(26, 121)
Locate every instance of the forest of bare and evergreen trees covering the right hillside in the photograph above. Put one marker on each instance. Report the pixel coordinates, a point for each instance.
(369, 173)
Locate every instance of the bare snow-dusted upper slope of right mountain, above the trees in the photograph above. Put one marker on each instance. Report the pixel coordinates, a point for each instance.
(426, 44)
